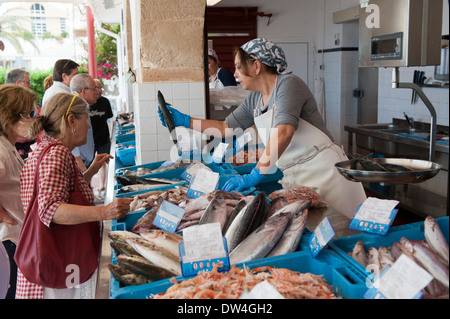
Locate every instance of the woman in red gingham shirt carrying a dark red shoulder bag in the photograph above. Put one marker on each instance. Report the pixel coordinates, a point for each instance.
(65, 125)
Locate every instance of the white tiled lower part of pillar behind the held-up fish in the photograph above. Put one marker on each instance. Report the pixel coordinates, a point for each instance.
(153, 142)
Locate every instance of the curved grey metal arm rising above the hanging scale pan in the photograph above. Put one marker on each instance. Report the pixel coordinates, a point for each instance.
(396, 84)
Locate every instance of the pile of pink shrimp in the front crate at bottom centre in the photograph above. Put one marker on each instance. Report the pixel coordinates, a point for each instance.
(231, 284)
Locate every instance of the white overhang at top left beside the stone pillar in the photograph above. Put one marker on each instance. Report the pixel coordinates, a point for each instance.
(106, 11)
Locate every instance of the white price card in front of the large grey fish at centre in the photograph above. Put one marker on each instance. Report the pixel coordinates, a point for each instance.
(203, 242)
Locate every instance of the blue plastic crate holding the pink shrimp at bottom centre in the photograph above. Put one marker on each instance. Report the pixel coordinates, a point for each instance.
(345, 283)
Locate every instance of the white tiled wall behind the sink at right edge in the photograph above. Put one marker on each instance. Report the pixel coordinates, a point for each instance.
(393, 102)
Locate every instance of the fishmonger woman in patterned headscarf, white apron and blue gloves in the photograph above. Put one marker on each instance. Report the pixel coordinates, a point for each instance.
(285, 113)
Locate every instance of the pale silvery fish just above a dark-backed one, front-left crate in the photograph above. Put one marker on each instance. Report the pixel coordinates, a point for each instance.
(157, 256)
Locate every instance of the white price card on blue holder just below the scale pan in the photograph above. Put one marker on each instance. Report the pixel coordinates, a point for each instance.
(376, 210)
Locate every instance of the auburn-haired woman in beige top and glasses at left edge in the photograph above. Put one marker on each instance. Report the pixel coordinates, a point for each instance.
(17, 108)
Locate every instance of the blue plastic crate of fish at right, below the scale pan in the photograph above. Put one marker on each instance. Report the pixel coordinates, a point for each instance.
(414, 231)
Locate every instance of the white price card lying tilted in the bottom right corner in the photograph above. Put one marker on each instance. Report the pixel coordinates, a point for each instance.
(404, 279)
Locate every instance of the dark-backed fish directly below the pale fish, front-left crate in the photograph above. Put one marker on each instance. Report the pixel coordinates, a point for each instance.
(142, 267)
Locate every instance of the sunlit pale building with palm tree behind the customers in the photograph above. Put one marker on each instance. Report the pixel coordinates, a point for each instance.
(58, 30)
